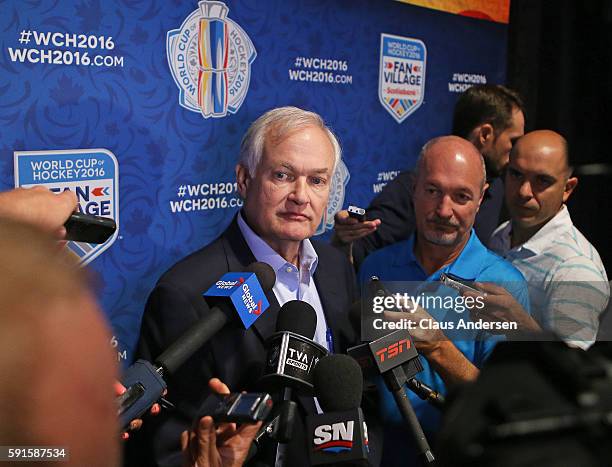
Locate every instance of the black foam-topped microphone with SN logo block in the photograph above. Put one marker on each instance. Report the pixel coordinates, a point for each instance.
(339, 435)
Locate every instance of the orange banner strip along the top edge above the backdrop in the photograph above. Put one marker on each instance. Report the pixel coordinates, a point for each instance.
(490, 10)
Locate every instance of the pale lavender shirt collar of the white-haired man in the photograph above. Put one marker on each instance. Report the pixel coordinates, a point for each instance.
(264, 252)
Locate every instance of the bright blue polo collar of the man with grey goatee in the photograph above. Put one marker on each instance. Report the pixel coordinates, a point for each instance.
(467, 265)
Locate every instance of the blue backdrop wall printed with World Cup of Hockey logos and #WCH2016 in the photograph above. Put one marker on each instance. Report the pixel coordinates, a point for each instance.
(104, 79)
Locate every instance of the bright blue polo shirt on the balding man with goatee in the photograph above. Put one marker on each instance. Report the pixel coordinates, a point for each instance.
(475, 263)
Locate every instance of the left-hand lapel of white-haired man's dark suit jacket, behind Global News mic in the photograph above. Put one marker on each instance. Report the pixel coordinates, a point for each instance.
(239, 256)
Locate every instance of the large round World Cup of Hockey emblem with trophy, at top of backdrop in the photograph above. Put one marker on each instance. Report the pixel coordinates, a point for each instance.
(210, 59)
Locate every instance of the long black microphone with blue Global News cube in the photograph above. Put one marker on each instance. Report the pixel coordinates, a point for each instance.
(234, 293)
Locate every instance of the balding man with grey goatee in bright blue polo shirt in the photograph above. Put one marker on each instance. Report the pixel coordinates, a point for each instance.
(449, 185)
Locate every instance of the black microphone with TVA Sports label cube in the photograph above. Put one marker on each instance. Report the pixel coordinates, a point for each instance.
(292, 354)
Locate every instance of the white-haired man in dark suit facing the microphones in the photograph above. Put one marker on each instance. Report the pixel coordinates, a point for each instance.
(287, 161)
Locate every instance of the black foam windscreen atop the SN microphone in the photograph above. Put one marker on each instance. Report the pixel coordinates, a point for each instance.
(338, 383)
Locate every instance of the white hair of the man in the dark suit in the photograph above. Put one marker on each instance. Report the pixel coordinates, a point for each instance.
(281, 122)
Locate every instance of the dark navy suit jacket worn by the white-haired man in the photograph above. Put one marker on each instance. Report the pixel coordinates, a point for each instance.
(234, 355)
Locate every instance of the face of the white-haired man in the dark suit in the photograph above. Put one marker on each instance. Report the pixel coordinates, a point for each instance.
(285, 199)
